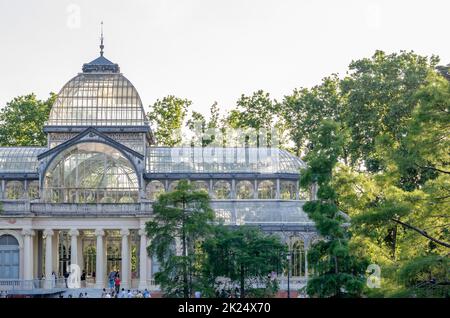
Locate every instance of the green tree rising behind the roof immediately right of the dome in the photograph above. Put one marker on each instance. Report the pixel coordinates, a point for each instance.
(168, 116)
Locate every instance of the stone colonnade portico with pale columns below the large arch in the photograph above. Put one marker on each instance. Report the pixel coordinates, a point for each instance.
(51, 259)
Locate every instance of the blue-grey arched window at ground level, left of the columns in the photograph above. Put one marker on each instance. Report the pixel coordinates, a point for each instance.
(9, 257)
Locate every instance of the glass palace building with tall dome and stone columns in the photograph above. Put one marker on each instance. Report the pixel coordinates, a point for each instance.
(85, 198)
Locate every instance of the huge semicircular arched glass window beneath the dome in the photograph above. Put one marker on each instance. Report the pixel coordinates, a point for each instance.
(91, 173)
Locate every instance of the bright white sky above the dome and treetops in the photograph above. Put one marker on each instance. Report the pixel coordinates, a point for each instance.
(209, 50)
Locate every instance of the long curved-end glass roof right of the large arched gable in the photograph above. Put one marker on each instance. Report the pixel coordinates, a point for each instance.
(221, 160)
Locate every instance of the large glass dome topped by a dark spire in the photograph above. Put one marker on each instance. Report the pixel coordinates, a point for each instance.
(98, 99)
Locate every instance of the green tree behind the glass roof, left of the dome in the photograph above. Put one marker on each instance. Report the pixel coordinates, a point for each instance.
(22, 121)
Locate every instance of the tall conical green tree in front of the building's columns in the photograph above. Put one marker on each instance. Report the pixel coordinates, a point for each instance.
(183, 215)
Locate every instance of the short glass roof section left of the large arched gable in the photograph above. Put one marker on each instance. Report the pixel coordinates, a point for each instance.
(19, 159)
